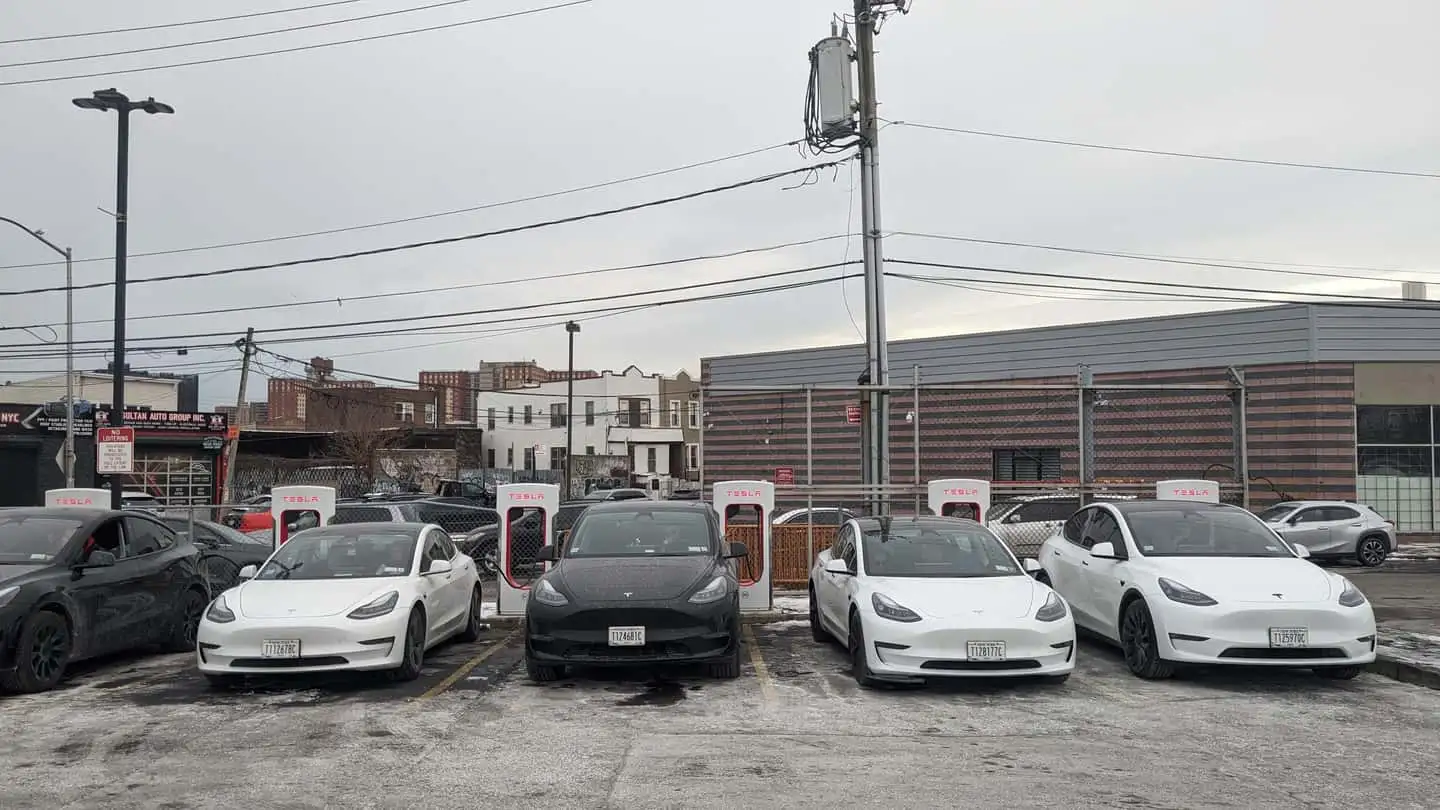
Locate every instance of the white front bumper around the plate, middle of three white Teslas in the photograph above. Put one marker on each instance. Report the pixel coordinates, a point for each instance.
(938, 649)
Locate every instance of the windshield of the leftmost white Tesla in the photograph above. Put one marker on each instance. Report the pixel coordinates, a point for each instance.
(342, 556)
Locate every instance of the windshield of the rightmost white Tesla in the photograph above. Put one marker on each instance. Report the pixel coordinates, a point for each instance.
(1205, 533)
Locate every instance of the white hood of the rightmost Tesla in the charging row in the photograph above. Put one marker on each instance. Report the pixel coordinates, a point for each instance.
(1251, 580)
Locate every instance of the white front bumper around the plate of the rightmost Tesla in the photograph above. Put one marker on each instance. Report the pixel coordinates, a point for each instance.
(1241, 635)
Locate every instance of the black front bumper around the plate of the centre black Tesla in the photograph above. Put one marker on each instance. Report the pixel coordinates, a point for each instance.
(675, 632)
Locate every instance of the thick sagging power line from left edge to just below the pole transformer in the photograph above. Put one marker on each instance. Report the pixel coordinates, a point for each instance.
(447, 240)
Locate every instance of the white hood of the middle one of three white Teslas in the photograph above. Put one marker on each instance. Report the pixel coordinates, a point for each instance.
(1010, 597)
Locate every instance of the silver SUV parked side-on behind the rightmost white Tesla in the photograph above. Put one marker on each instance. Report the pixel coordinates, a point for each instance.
(1334, 530)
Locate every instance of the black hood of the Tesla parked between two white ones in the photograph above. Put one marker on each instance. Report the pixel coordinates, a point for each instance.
(611, 579)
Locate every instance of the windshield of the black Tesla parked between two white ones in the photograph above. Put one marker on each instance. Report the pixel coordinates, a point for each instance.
(642, 534)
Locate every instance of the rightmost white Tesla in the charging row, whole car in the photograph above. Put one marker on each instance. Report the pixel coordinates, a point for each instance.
(1180, 583)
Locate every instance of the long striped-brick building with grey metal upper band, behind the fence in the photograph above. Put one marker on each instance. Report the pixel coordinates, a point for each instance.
(1310, 371)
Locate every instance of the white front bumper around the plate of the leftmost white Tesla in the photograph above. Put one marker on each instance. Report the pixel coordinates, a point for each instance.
(325, 646)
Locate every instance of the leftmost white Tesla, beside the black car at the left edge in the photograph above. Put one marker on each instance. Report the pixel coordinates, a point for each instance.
(351, 597)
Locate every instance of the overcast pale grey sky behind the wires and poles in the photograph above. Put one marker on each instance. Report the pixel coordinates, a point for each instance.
(410, 126)
